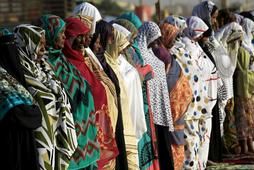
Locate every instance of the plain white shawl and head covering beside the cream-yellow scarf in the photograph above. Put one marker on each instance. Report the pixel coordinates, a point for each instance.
(133, 88)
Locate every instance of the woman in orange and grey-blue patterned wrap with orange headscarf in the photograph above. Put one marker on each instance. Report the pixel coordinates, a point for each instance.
(179, 91)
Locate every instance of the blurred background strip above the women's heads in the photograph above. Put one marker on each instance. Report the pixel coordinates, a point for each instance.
(13, 12)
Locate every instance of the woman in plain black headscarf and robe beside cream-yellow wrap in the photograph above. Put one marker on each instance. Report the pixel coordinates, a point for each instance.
(104, 32)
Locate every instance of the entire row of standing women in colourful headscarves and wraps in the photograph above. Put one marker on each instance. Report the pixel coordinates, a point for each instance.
(82, 93)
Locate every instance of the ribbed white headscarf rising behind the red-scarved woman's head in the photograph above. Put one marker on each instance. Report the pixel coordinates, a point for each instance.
(87, 9)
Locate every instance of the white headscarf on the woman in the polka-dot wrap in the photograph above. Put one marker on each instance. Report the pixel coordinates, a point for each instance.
(196, 27)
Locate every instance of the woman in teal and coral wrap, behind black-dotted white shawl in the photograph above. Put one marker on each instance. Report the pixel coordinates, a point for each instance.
(147, 147)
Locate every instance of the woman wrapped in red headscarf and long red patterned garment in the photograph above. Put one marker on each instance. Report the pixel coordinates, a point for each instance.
(76, 40)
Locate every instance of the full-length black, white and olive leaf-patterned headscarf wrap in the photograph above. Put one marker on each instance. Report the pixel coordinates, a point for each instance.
(51, 98)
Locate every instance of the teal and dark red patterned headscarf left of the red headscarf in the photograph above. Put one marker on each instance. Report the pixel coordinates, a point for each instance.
(54, 25)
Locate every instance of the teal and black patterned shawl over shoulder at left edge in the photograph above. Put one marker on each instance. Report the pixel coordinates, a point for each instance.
(11, 93)
